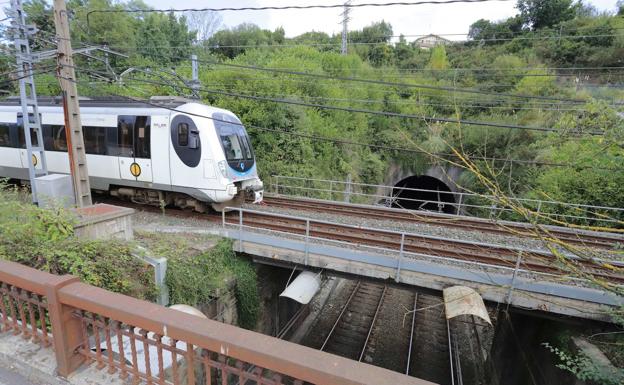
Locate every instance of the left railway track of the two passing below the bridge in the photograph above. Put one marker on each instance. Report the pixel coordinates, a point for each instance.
(351, 331)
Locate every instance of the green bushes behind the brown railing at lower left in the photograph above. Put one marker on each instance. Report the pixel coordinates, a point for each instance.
(43, 239)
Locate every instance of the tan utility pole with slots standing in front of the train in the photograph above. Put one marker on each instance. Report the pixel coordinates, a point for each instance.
(71, 108)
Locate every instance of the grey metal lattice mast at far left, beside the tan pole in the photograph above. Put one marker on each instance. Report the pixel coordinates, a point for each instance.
(37, 165)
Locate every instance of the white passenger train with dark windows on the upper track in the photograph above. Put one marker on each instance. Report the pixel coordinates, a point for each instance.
(170, 150)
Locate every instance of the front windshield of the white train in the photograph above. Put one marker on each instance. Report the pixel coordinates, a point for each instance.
(235, 142)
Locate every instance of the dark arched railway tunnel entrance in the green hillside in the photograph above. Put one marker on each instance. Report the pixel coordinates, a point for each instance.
(423, 192)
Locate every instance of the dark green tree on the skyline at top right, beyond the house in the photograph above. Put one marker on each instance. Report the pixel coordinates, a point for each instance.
(537, 14)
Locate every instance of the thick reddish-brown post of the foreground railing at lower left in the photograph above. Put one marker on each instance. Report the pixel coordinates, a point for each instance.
(66, 329)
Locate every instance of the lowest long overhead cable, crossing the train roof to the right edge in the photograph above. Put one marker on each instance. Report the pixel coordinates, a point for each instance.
(355, 143)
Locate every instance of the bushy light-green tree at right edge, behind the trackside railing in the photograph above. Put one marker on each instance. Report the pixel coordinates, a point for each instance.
(593, 181)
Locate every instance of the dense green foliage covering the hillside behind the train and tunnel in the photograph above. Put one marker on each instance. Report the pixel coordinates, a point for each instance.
(549, 50)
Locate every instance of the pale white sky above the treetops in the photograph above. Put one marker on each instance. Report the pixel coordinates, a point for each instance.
(407, 20)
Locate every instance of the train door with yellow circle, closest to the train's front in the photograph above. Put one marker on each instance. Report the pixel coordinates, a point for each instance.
(133, 141)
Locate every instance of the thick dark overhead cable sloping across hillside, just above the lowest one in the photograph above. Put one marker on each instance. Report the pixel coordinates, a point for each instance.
(350, 109)
